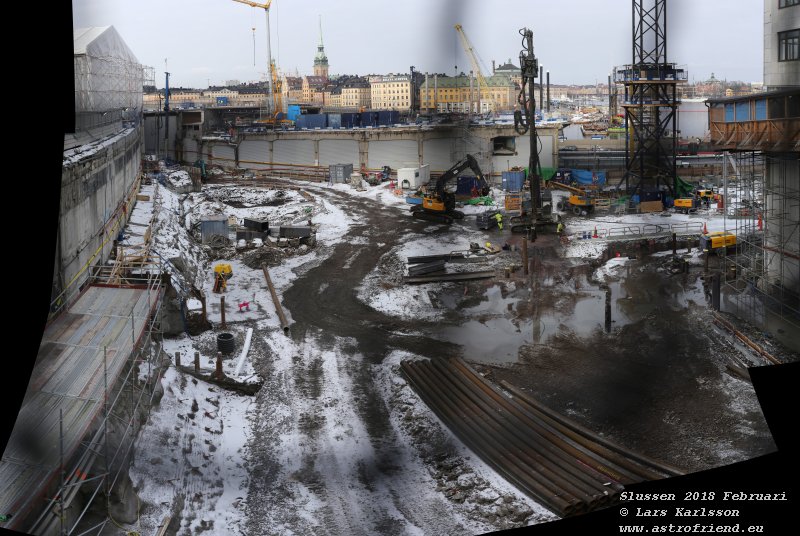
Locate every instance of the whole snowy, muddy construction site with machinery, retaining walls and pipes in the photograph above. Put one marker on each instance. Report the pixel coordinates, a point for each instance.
(433, 329)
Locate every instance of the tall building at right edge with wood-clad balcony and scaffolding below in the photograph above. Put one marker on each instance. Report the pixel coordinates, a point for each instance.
(761, 136)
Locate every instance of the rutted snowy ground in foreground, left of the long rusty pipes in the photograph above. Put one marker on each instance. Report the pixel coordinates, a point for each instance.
(329, 470)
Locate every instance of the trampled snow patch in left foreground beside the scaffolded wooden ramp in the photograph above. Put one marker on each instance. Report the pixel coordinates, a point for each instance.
(189, 456)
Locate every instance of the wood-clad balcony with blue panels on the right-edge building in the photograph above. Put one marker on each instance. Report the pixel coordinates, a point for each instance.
(760, 122)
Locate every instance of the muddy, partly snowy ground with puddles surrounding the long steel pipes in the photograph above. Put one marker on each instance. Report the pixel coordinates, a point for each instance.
(338, 443)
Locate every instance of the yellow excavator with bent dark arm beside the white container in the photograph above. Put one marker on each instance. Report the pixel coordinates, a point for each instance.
(439, 202)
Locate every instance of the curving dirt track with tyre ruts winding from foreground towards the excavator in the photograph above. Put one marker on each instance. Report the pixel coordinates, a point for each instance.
(349, 472)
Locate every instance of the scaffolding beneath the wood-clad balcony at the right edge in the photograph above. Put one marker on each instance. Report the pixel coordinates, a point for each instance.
(767, 230)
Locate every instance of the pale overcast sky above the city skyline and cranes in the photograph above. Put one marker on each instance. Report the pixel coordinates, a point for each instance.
(578, 41)
